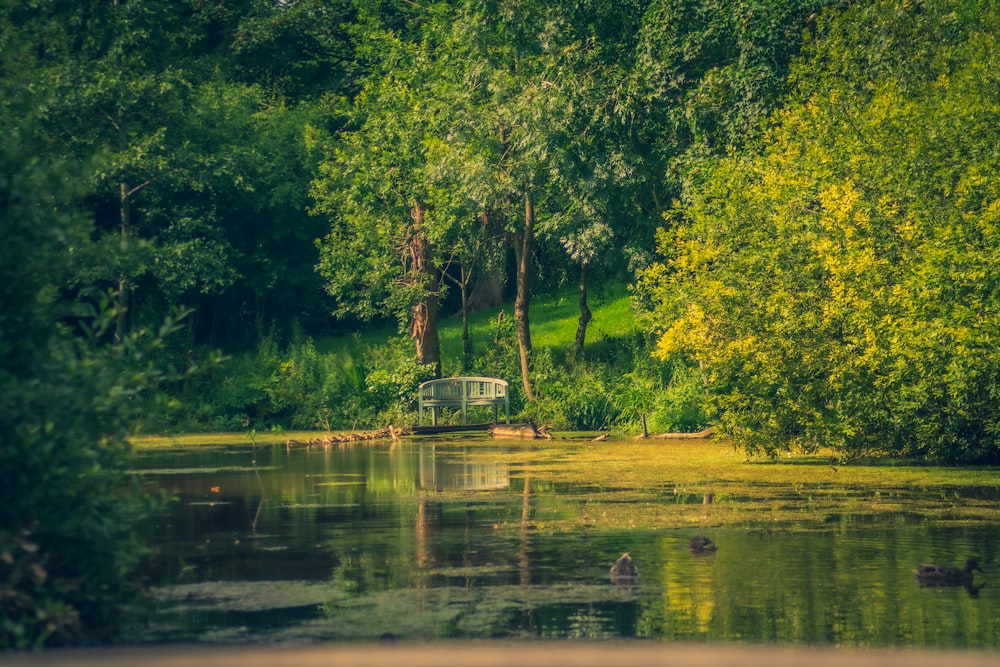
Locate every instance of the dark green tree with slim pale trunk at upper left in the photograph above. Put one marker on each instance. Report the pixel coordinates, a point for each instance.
(115, 79)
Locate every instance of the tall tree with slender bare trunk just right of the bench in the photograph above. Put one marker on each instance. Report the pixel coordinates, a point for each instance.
(536, 81)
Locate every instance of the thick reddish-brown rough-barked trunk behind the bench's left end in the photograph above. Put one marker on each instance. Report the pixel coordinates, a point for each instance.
(424, 324)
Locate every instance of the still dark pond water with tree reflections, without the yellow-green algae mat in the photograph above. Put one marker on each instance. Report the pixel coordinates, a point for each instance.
(452, 539)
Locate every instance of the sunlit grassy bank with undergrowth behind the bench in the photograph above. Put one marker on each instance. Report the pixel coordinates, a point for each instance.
(369, 378)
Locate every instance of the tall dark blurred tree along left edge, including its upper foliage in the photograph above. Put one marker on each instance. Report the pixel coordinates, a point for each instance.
(68, 503)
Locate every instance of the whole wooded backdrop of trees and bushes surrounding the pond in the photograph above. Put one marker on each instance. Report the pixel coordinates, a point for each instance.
(201, 202)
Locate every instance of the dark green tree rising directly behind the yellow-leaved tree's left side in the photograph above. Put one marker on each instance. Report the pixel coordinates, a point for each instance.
(705, 75)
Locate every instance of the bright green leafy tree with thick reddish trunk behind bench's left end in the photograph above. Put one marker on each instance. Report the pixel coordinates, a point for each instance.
(380, 255)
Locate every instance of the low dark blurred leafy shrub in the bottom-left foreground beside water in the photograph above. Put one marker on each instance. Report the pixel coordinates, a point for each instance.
(69, 558)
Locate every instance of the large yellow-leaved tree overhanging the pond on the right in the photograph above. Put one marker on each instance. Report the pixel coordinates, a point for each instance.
(840, 287)
